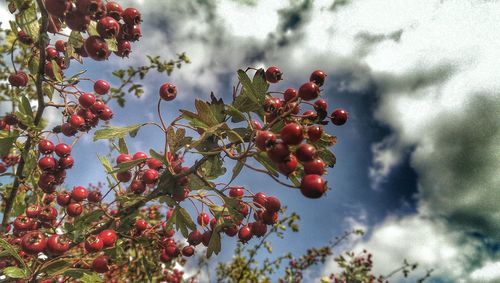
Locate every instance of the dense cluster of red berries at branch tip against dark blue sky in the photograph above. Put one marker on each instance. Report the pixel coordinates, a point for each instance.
(287, 149)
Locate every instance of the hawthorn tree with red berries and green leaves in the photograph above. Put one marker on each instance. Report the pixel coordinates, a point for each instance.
(123, 230)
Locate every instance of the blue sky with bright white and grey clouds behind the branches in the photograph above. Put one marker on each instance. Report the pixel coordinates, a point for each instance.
(416, 162)
